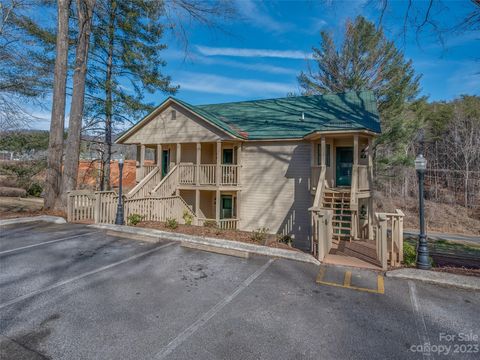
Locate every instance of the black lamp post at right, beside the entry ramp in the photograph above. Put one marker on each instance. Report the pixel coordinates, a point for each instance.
(423, 261)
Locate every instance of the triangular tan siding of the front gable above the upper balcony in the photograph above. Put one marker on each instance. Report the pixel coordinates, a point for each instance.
(186, 128)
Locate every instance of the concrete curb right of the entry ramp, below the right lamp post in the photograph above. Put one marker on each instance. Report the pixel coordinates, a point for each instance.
(436, 277)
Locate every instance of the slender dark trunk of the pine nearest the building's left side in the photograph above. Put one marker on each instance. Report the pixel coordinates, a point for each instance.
(108, 98)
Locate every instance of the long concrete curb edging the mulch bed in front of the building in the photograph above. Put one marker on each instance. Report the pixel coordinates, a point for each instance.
(218, 243)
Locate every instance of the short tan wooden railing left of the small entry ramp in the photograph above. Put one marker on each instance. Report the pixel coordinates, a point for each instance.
(322, 232)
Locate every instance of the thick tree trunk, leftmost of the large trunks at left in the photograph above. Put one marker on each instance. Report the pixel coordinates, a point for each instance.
(57, 123)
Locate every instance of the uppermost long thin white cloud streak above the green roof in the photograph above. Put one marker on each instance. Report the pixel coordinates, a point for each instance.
(243, 52)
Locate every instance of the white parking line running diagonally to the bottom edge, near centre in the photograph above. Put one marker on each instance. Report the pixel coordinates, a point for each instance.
(185, 334)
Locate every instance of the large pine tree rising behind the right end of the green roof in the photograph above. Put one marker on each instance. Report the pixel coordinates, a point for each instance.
(367, 60)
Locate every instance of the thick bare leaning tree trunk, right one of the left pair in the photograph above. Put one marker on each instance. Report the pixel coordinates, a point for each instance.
(85, 12)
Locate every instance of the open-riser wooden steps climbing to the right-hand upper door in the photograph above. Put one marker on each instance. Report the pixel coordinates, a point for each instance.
(339, 201)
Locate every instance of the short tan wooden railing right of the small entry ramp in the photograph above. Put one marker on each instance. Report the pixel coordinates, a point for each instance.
(389, 245)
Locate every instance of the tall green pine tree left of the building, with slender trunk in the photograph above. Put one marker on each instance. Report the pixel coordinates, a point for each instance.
(125, 63)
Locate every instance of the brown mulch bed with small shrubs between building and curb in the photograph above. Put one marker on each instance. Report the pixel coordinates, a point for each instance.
(236, 235)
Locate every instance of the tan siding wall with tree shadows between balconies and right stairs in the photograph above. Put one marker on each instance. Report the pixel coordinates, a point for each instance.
(275, 188)
